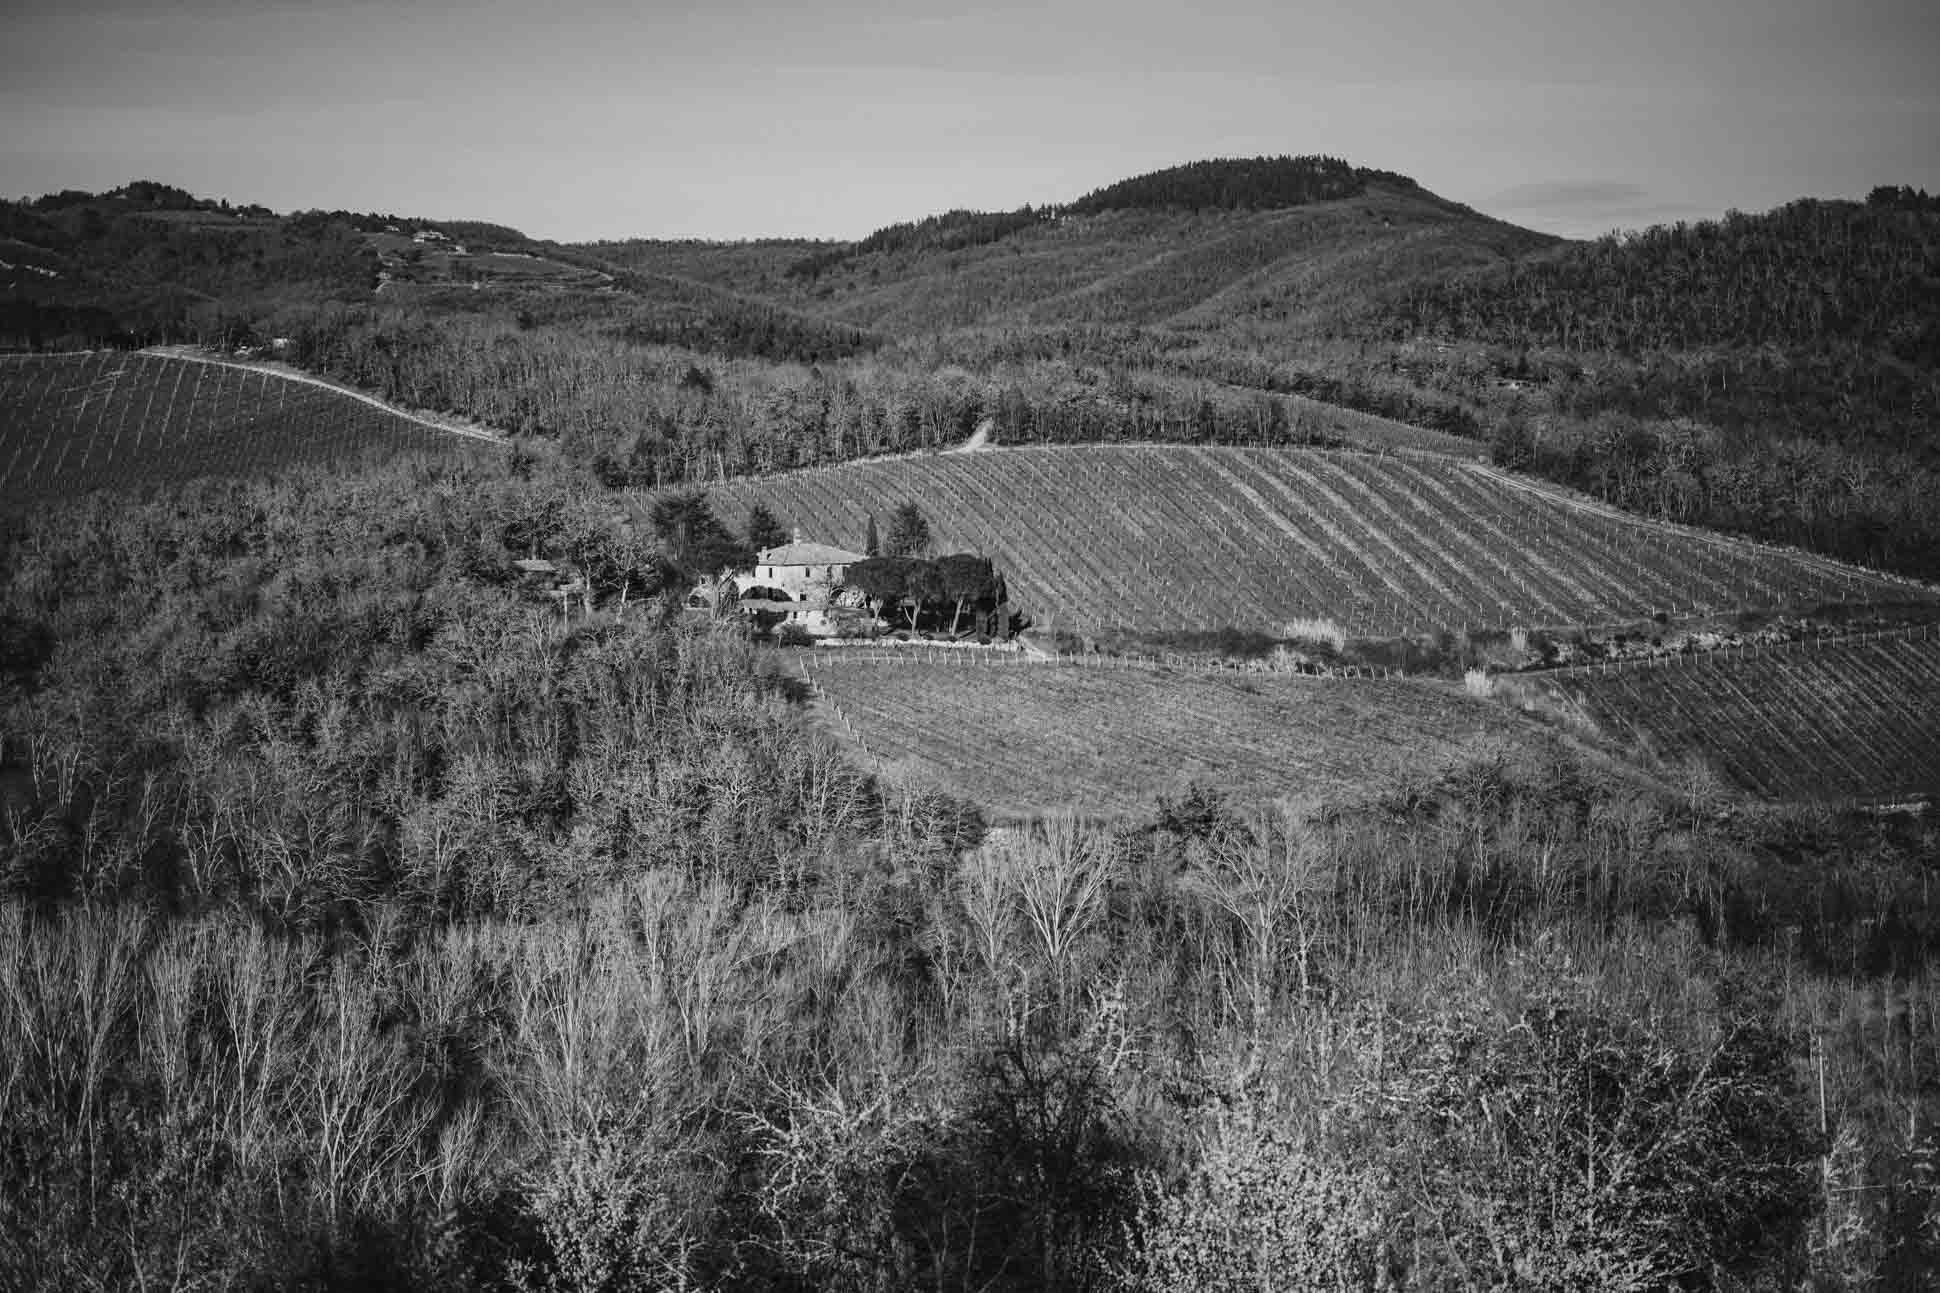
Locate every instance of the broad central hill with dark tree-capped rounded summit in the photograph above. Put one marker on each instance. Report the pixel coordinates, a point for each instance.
(1285, 240)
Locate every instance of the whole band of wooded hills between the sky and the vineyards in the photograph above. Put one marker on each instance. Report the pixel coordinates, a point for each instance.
(1761, 374)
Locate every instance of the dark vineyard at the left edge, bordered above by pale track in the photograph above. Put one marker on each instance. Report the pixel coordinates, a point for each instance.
(108, 420)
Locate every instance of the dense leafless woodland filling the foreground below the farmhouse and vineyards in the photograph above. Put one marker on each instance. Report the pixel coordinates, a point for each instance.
(364, 921)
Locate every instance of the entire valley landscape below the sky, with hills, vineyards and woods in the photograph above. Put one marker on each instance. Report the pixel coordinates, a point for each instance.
(1427, 781)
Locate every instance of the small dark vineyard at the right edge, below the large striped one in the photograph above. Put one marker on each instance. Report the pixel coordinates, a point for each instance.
(1854, 719)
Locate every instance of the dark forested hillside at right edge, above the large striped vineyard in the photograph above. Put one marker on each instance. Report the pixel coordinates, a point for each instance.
(1768, 374)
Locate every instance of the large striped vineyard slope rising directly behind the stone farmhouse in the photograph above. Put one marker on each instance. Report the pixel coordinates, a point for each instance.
(1179, 539)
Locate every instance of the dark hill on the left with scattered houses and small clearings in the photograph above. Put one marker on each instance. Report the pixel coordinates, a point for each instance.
(148, 263)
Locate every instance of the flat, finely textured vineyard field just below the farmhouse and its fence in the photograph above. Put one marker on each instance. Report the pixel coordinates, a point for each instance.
(1025, 739)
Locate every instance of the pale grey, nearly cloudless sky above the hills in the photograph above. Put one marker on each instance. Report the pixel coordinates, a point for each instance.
(736, 119)
